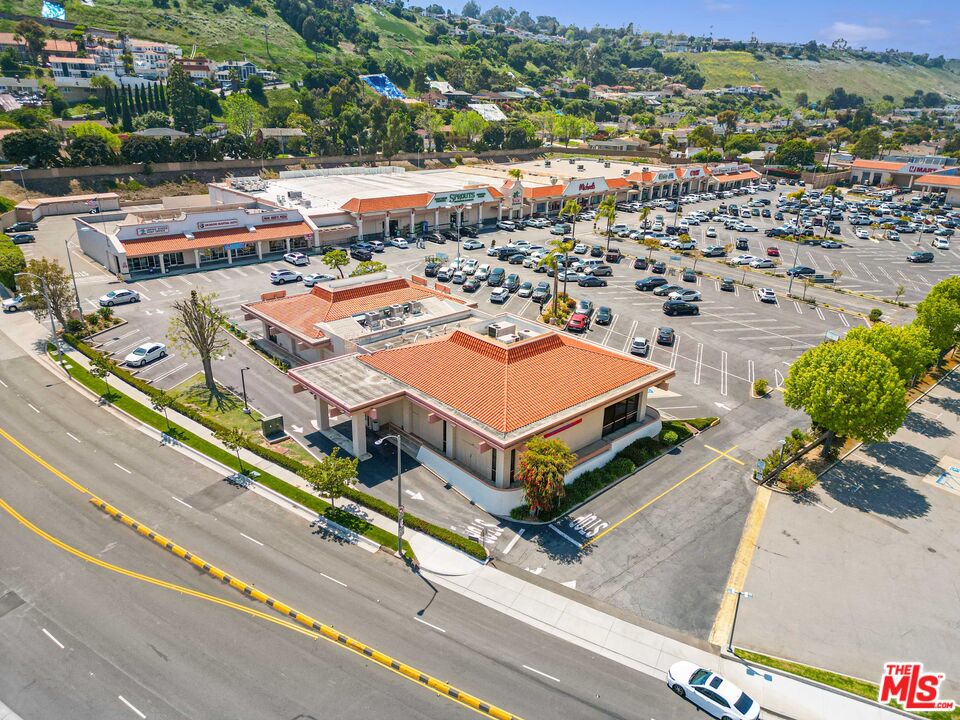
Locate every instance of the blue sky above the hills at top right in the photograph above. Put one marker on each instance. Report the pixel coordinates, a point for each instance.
(930, 26)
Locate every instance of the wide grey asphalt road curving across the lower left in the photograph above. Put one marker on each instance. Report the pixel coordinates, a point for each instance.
(89, 641)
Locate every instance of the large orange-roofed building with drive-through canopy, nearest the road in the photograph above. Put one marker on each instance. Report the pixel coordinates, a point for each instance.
(470, 398)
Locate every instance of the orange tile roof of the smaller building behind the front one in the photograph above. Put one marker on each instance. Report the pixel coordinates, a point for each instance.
(322, 304)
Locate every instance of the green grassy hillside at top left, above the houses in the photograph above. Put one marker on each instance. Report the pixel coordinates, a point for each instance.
(231, 34)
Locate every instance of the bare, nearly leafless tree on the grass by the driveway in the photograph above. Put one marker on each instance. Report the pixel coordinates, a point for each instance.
(197, 329)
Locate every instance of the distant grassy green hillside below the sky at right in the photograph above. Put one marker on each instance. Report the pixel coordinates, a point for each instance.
(817, 79)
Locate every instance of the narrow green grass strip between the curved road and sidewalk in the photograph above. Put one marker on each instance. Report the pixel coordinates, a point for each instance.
(157, 421)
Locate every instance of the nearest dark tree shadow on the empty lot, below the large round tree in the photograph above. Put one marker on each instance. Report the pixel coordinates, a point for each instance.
(873, 490)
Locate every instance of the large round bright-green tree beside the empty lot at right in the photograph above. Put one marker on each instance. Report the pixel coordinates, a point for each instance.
(848, 389)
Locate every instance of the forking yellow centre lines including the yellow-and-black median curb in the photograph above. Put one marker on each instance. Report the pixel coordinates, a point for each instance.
(303, 624)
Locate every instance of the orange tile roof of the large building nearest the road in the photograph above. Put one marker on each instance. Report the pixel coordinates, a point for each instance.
(503, 386)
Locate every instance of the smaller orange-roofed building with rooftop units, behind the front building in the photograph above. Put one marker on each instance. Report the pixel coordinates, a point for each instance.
(341, 316)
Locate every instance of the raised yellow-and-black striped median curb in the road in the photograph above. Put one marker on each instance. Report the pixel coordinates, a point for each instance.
(307, 621)
